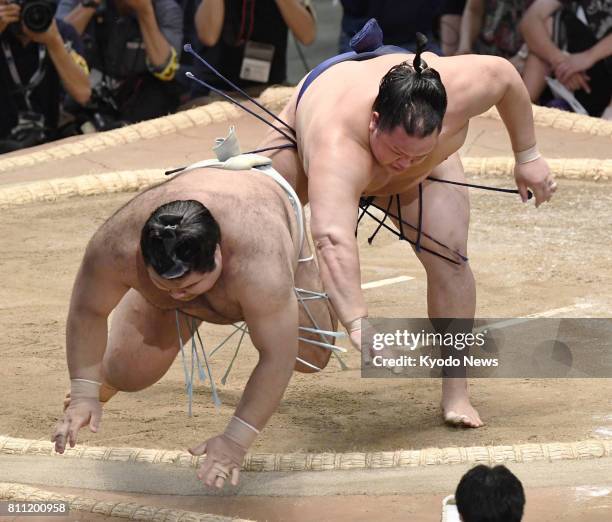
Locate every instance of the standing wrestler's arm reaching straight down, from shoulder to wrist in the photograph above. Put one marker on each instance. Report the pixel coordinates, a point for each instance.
(337, 178)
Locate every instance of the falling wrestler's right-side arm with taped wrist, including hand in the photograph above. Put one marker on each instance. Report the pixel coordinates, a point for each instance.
(271, 313)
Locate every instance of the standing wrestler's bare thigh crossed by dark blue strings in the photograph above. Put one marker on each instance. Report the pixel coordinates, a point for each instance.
(446, 213)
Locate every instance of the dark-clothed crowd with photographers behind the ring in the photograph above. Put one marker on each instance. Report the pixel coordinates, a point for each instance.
(81, 66)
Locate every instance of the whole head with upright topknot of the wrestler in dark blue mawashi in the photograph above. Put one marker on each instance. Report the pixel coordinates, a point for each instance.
(407, 113)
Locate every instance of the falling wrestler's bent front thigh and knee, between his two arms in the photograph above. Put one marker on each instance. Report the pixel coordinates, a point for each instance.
(142, 343)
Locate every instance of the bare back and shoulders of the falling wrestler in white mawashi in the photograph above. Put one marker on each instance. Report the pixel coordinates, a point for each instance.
(257, 226)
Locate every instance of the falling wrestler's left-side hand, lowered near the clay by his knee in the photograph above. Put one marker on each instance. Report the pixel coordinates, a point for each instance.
(81, 412)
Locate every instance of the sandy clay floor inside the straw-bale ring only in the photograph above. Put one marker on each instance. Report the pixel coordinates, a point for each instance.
(526, 261)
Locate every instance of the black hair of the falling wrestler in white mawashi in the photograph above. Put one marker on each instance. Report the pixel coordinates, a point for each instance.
(180, 237)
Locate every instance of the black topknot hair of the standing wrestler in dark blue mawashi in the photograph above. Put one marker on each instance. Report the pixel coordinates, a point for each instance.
(411, 95)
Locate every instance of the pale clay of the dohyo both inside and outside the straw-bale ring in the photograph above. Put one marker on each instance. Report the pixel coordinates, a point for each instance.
(555, 259)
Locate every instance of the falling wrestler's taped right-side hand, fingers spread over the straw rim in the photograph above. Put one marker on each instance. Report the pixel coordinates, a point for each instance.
(223, 460)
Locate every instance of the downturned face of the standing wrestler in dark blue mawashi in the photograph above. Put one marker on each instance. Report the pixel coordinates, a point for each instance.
(396, 150)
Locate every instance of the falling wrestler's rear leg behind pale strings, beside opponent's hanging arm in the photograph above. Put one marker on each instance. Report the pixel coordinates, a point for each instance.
(315, 311)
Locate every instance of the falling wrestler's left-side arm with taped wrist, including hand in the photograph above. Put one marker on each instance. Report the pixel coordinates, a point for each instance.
(96, 291)
